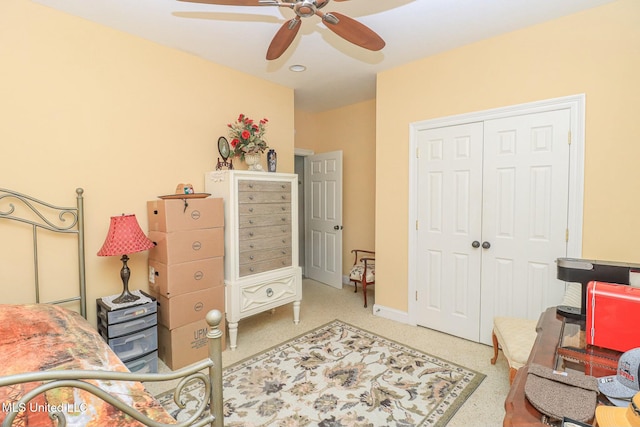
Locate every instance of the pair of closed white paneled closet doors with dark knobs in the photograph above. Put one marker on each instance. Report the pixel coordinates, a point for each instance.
(492, 220)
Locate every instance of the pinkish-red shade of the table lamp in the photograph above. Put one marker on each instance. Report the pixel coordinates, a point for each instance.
(124, 237)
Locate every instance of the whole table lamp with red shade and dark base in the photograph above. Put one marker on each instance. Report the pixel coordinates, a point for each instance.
(124, 237)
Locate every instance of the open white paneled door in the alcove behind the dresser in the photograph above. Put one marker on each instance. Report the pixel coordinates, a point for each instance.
(323, 217)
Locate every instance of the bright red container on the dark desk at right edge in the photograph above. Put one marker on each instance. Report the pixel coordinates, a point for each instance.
(613, 316)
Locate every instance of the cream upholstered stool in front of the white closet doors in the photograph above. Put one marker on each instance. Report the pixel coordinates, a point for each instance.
(516, 337)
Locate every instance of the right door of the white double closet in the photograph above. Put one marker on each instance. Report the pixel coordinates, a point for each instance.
(525, 212)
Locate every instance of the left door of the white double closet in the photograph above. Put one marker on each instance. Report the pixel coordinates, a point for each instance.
(449, 219)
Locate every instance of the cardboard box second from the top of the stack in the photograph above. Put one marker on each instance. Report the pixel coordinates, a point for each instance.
(185, 246)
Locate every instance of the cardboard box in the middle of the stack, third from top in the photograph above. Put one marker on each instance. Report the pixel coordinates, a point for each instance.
(176, 279)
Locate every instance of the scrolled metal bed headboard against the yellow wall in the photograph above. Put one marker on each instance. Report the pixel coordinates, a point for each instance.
(69, 220)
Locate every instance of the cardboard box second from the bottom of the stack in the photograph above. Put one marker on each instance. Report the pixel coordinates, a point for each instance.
(187, 308)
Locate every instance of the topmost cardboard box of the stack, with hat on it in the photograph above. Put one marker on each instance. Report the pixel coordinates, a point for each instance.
(174, 215)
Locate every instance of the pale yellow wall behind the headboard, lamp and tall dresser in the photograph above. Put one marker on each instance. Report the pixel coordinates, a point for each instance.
(126, 119)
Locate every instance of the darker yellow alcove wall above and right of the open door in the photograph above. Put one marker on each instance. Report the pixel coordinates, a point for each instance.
(352, 130)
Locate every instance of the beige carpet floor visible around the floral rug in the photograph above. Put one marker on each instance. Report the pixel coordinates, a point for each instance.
(322, 304)
